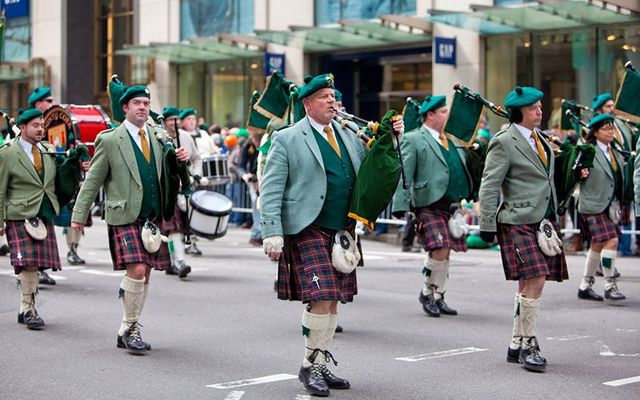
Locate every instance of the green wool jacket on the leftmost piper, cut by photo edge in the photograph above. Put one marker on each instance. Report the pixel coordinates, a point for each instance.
(22, 191)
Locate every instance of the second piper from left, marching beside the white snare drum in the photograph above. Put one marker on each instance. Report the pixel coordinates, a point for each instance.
(128, 163)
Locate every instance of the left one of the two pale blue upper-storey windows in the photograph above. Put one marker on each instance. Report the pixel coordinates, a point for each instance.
(201, 18)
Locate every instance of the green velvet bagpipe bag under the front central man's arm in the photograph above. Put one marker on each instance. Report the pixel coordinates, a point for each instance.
(378, 175)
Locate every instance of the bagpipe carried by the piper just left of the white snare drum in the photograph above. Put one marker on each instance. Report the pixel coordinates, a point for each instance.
(175, 178)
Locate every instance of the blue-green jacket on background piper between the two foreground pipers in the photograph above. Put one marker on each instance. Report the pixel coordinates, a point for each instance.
(426, 171)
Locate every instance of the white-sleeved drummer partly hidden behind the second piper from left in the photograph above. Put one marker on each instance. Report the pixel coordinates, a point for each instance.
(176, 227)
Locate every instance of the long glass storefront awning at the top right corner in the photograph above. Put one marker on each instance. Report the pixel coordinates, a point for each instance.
(535, 16)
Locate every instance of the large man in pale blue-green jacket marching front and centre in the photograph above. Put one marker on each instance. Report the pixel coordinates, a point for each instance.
(317, 150)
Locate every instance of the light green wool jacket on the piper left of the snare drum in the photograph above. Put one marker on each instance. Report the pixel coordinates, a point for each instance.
(114, 166)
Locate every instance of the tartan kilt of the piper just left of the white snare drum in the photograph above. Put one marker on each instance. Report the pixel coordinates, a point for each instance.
(125, 244)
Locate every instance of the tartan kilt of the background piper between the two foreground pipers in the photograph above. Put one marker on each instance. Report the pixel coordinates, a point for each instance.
(433, 229)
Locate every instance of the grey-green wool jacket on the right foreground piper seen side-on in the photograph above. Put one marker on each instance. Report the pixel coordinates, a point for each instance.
(515, 175)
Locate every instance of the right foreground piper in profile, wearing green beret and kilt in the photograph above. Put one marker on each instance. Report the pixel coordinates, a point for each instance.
(520, 167)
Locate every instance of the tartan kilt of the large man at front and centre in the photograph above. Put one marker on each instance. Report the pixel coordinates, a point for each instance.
(309, 256)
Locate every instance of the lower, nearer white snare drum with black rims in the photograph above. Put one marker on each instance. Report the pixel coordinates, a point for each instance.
(209, 214)
